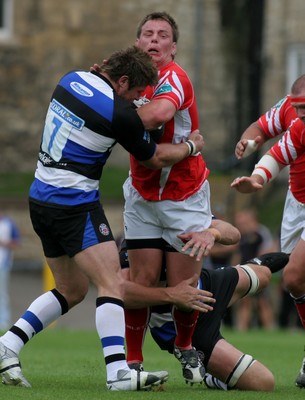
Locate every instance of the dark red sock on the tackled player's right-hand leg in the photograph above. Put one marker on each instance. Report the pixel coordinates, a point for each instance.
(185, 326)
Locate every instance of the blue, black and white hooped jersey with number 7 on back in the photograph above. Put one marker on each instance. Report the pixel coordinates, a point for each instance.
(84, 121)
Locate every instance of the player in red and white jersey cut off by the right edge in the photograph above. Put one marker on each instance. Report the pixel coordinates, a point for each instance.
(288, 114)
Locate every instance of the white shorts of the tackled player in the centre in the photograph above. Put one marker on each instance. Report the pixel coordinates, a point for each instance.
(165, 219)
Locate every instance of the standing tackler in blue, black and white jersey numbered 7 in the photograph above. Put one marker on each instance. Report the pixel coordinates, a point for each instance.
(85, 119)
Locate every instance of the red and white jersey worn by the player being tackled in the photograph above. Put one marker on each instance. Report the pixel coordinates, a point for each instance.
(183, 179)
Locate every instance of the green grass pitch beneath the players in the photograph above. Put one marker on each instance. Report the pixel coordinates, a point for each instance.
(64, 364)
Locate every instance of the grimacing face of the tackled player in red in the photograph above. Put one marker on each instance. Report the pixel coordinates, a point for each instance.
(156, 39)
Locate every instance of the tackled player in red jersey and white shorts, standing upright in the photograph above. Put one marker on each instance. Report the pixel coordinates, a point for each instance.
(160, 205)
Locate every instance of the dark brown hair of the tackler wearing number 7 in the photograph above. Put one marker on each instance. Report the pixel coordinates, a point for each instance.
(134, 63)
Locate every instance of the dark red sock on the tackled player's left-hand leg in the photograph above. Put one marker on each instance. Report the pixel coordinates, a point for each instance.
(136, 322)
